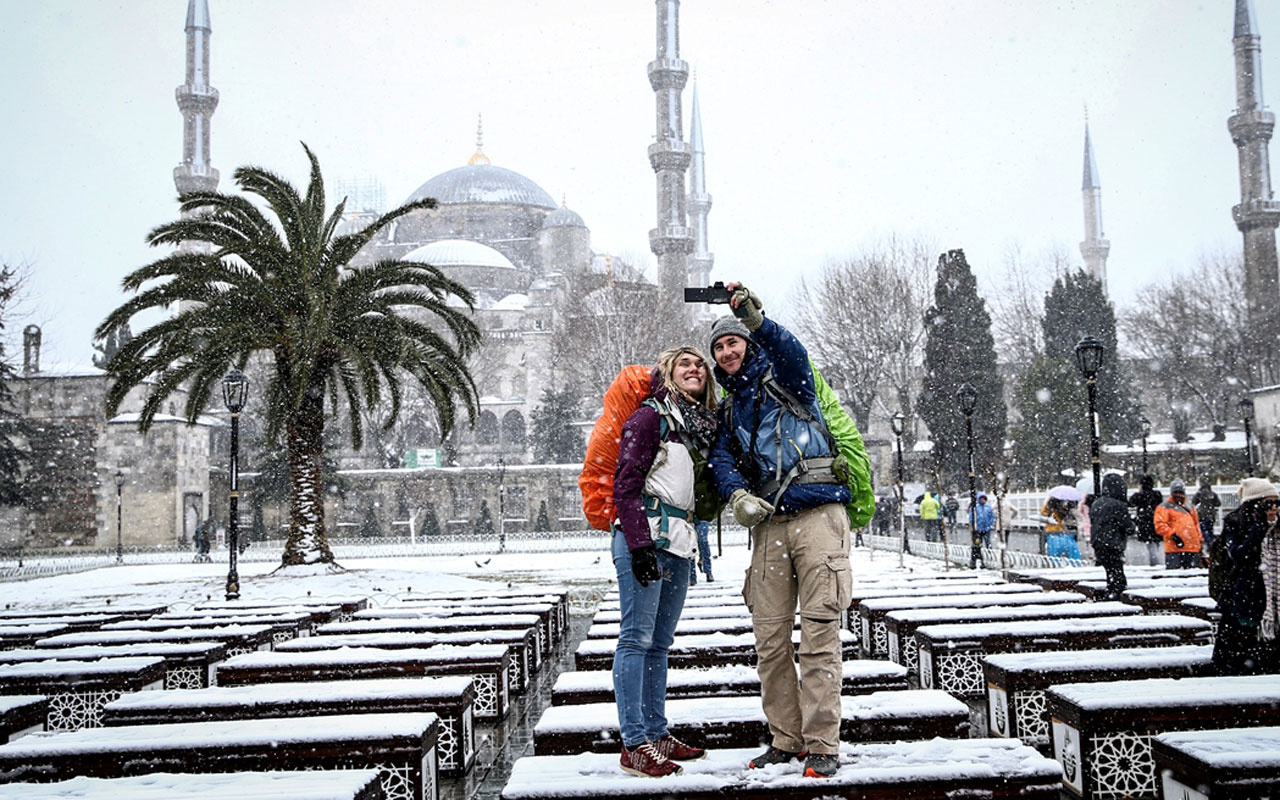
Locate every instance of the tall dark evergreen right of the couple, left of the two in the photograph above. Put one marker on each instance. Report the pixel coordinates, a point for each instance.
(959, 349)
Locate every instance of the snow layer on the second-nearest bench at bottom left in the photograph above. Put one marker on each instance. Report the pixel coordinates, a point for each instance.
(355, 729)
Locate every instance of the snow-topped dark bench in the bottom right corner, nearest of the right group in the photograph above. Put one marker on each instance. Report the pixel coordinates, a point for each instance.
(1226, 764)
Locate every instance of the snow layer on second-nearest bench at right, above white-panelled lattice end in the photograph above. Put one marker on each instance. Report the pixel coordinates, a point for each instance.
(1171, 693)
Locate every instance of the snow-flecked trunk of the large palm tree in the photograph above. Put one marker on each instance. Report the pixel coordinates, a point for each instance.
(308, 543)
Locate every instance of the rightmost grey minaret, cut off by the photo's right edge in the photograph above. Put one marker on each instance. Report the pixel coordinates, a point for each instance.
(1259, 213)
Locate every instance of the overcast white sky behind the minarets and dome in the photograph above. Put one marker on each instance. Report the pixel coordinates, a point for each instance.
(829, 125)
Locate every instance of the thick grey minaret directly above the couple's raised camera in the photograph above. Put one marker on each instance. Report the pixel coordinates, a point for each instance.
(670, 156)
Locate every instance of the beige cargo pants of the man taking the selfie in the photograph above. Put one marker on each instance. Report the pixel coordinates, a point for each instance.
(806, 559)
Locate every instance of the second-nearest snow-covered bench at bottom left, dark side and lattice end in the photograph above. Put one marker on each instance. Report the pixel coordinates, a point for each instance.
(400, 747)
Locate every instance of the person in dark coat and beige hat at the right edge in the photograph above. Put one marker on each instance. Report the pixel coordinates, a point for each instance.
(1249, 552)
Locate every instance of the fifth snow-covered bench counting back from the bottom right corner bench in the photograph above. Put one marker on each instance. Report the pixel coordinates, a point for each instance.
(902, 624)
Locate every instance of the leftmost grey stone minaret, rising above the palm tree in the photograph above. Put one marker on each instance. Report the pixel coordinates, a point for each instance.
(196, 100)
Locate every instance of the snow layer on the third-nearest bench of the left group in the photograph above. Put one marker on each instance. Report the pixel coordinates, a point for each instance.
(281, 694)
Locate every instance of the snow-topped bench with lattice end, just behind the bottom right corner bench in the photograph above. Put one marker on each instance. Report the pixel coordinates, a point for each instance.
(1103, 732)
